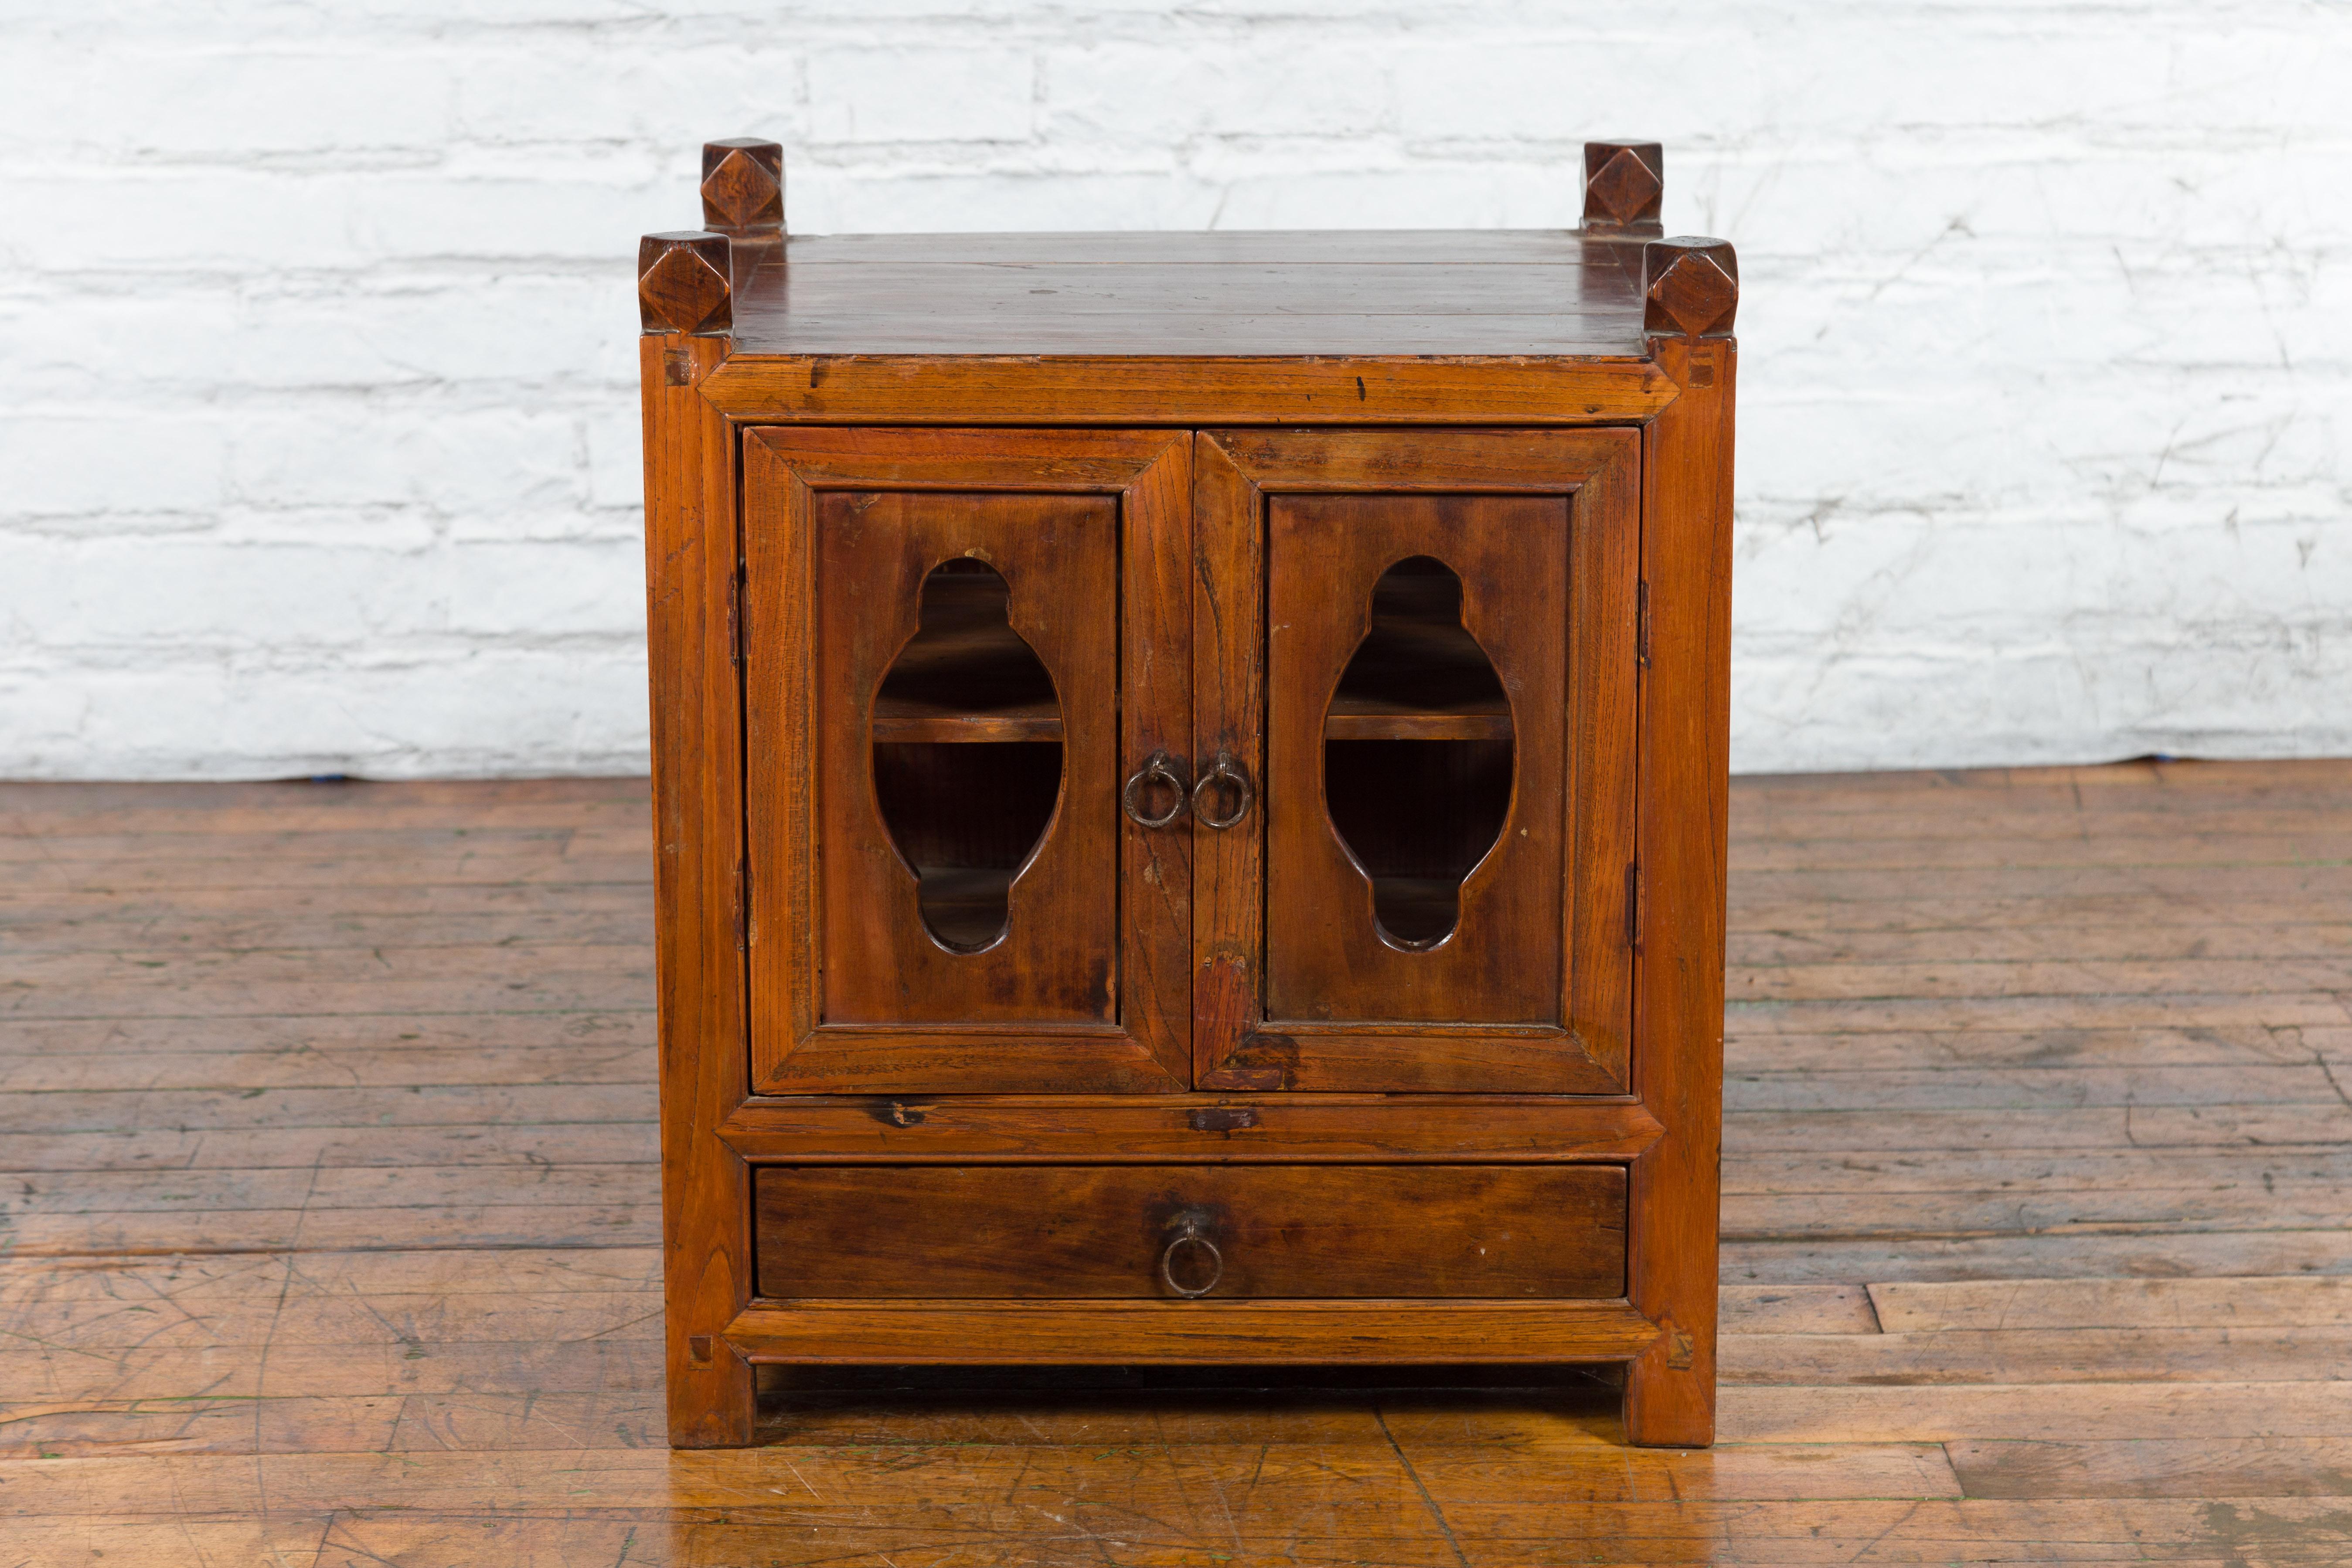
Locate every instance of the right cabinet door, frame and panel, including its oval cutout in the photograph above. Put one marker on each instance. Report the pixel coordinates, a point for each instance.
(1417, 695)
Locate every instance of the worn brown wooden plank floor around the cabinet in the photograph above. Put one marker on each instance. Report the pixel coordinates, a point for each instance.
(328, 1219)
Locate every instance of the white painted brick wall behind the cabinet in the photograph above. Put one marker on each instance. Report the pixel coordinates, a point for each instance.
(319, 438)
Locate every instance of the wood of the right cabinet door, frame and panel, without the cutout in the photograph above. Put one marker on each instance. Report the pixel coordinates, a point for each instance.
(1532, 991)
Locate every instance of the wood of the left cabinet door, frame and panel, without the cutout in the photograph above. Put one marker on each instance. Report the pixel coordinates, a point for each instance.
(848, 991)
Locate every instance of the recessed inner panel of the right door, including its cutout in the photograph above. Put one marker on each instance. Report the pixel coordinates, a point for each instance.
(1417, 662)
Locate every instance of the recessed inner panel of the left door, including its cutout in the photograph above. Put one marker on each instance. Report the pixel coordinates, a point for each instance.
(968, 756)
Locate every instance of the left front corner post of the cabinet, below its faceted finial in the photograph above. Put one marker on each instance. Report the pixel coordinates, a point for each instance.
(690, 561)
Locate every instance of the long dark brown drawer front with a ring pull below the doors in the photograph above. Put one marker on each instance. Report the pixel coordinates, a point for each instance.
(991, 1233)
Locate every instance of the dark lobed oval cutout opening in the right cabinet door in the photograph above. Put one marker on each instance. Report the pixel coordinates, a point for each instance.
(1417, 756)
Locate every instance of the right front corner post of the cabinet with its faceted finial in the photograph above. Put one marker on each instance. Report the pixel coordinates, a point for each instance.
(1690, 297)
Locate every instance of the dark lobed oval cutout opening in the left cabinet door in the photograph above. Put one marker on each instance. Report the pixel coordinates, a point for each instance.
(965, 756)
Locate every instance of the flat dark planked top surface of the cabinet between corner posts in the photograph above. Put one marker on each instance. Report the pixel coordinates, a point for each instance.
(1252, 295)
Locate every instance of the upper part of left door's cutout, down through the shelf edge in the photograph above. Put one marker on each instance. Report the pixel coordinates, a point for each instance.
(968, 676)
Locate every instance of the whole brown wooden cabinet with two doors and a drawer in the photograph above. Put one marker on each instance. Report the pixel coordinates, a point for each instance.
(1189, 793)
